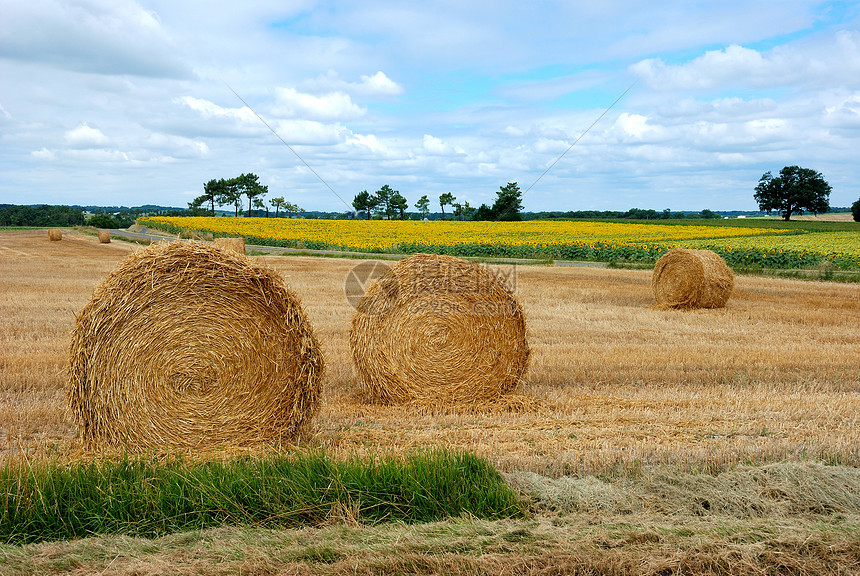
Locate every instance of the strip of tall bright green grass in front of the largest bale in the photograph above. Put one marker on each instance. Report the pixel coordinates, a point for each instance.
(151, 497)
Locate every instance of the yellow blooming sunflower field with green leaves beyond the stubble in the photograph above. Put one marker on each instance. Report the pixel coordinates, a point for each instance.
(564, 240)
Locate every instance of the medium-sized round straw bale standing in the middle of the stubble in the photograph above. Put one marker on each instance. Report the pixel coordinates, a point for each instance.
(438, 328)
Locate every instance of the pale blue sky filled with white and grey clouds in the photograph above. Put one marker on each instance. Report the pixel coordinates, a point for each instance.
(124, 102)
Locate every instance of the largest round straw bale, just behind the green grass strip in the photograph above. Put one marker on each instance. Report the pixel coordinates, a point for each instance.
(186, 345)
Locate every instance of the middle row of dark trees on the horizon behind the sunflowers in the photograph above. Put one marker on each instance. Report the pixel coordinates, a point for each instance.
(390, 203)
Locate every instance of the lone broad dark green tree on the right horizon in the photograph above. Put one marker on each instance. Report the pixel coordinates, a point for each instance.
(794, 191)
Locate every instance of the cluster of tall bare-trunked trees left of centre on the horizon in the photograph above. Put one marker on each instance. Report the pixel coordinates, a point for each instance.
(233, 191)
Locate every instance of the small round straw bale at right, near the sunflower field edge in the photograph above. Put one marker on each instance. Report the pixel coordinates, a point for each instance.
(686, 279)
